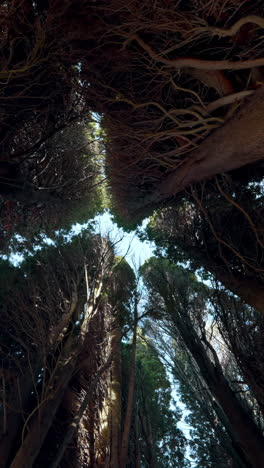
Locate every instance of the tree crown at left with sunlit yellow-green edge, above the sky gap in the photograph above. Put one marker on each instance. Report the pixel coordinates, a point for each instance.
(59, 185)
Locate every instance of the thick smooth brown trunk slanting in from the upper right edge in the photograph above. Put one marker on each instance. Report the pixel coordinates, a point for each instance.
(237, 143)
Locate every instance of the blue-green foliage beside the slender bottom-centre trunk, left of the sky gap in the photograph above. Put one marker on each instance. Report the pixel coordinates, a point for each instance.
(154, 428)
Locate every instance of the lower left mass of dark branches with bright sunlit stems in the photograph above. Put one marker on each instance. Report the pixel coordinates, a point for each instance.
(49, 321)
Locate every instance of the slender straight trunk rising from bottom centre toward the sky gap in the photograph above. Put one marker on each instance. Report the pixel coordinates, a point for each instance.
(130, 398)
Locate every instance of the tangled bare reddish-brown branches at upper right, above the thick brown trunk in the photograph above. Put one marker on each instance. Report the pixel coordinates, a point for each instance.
(164, 79)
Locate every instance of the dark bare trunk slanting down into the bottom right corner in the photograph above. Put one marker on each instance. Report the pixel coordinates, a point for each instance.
(245, 433)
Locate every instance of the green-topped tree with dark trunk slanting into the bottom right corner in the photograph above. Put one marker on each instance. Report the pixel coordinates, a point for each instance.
(184, 302)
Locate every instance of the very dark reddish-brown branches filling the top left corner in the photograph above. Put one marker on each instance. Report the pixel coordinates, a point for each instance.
(37, 79)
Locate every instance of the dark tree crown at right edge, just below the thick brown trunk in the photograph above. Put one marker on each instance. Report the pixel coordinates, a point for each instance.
(218, 229)
